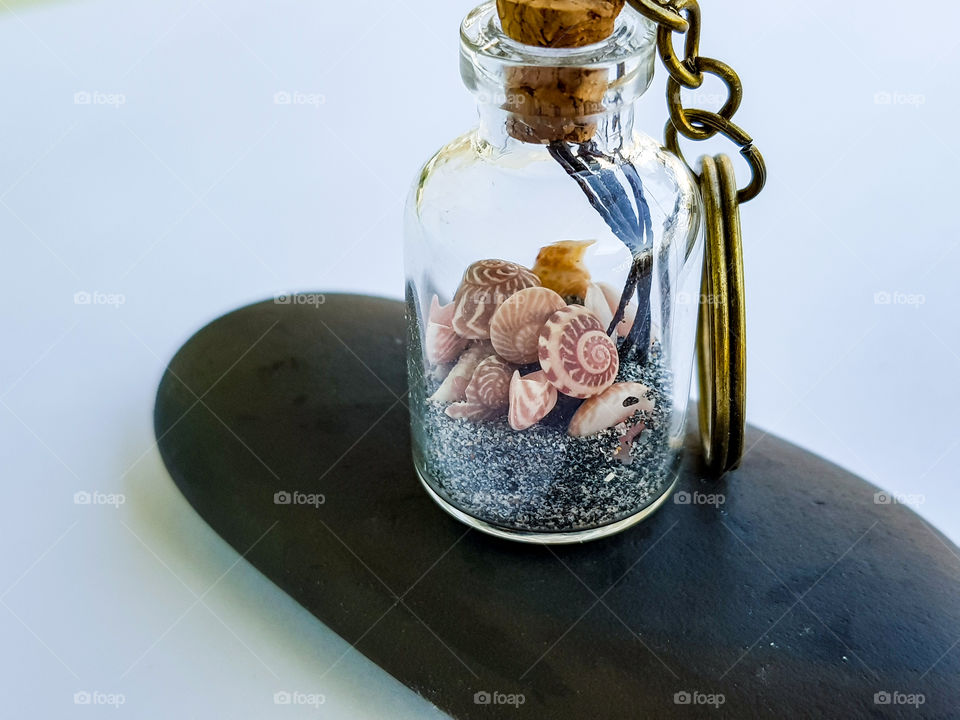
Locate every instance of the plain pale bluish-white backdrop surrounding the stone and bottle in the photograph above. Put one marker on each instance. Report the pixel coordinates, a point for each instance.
(198, 194)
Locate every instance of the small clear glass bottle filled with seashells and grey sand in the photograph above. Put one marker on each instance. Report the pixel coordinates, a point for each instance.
(553, 257)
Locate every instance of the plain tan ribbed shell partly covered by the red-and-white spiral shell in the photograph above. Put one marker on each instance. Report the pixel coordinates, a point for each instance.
(515, 327)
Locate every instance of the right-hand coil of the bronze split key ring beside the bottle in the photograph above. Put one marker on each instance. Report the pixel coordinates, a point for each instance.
(730, 208)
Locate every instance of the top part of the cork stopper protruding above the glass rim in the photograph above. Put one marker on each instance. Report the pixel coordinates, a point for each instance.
(558, 23)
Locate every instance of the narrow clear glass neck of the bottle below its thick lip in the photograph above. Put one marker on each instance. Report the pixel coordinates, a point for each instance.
(503, 130)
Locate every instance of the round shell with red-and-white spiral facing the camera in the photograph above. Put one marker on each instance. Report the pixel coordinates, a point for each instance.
(577, 356)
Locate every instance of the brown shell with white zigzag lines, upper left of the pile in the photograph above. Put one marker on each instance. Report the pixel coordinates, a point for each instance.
(485, 285)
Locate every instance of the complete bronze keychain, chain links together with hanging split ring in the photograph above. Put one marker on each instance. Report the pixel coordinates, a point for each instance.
(721, 332)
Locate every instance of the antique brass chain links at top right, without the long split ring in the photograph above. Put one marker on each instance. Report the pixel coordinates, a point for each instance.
(683, 17)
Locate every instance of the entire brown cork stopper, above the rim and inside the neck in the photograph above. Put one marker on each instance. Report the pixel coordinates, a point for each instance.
(555, 103)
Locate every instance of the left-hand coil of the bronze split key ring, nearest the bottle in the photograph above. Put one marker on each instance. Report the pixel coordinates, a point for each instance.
(713, 338)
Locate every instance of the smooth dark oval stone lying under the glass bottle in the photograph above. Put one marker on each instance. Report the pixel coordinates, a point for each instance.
(798, 597)
